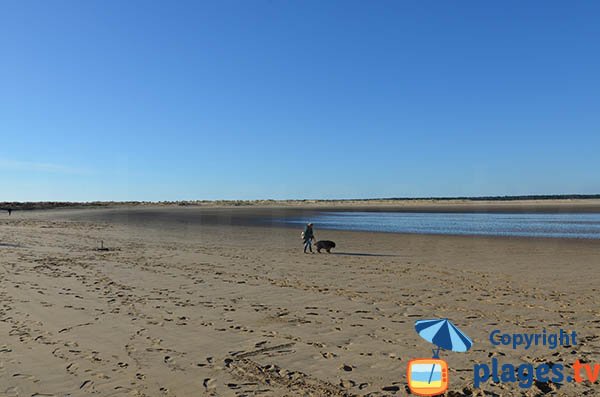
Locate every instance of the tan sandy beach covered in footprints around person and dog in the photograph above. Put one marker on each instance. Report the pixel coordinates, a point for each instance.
(174, 308)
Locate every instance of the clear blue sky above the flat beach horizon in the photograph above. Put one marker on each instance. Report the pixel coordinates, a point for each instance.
(149, 100)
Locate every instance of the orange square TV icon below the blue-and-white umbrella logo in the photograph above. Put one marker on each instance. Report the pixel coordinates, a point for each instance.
(427, 376)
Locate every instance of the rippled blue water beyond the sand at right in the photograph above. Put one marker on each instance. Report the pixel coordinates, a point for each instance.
(527, 225)
